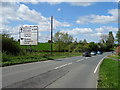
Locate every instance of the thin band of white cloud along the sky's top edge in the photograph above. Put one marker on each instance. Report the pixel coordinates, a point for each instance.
(55, 2)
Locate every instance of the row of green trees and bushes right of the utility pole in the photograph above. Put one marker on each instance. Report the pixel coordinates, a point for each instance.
(64, 42)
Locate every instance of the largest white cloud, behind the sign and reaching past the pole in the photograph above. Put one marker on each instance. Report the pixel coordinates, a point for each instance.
(20, 12)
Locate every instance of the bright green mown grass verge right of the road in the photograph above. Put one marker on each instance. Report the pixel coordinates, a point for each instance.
(109, 73)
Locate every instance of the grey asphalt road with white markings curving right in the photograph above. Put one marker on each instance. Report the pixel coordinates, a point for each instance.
(72, 72)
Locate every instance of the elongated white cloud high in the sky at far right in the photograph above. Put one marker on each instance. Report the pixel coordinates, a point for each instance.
(100, 19)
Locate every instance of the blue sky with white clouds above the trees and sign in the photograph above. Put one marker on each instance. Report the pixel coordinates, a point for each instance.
(82, 20)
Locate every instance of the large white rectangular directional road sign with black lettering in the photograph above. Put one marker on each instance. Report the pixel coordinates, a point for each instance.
(28, 35)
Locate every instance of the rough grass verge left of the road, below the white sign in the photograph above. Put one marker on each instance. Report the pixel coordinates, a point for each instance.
(8, 60)
